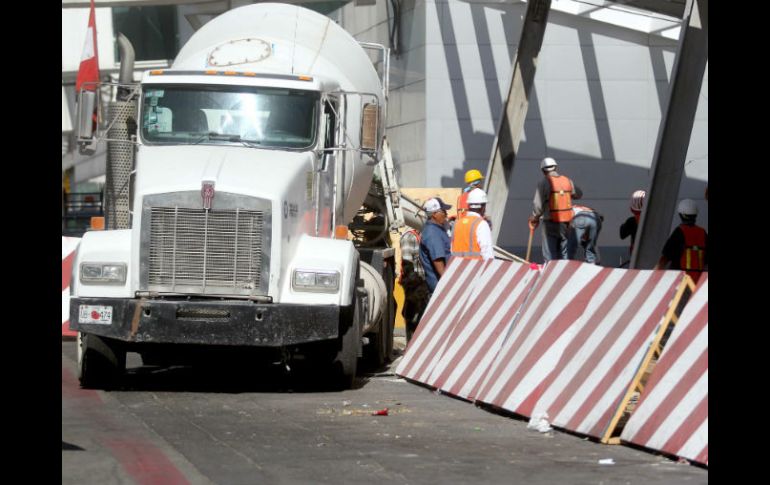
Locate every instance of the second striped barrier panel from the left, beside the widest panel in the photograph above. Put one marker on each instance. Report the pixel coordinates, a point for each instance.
(478, 333)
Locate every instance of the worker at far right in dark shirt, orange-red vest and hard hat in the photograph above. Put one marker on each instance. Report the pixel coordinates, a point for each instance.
(687, 247)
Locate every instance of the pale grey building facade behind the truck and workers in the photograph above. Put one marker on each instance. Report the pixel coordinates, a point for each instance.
(602, 83)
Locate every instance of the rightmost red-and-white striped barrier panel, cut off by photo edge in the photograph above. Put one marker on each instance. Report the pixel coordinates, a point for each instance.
(672, 413)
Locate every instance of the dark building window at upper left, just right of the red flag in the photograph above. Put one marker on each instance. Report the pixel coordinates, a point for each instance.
(152, 31)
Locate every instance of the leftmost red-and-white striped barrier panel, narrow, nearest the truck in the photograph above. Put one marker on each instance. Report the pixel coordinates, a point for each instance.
(449, 301)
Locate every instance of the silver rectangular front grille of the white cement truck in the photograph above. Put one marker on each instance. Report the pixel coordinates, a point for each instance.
(214, 252)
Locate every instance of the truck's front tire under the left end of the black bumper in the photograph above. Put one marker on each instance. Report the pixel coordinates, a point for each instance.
(101, 361)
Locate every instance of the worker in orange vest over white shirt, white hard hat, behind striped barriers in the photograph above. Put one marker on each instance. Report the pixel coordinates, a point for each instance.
(472, 237)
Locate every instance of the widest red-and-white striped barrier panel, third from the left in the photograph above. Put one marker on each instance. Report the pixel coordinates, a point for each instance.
(581, 338)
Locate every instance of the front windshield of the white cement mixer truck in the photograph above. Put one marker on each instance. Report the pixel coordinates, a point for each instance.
(240, 115)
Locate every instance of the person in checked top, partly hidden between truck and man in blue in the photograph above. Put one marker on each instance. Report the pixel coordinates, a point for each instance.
(412, 279)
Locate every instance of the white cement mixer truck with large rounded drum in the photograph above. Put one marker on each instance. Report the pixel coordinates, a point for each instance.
(253, 211)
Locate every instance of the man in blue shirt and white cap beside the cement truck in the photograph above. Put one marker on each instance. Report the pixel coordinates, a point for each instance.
(434, 242)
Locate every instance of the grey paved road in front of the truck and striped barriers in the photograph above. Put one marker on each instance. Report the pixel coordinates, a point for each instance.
(239, 425)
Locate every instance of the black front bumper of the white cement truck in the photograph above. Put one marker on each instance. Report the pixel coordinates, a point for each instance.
(205, 322)
